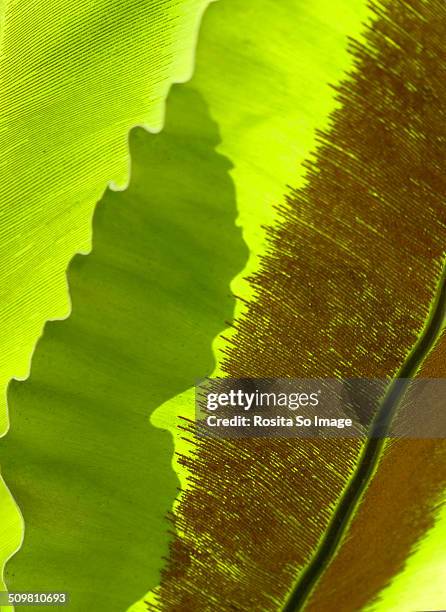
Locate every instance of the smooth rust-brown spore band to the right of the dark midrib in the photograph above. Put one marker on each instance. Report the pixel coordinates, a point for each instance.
(412, 473)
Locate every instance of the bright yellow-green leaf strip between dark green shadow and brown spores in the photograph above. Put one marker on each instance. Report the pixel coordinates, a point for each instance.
(265, 70)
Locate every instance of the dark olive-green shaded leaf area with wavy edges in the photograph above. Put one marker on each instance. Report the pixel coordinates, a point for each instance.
(90, 474)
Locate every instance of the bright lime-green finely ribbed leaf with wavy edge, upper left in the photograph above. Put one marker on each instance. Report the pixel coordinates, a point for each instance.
(74, 79)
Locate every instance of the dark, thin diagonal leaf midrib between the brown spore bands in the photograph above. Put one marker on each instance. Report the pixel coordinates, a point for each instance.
(370, 454)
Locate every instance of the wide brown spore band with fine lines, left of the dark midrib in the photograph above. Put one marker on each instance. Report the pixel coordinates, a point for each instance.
(344, 290)
